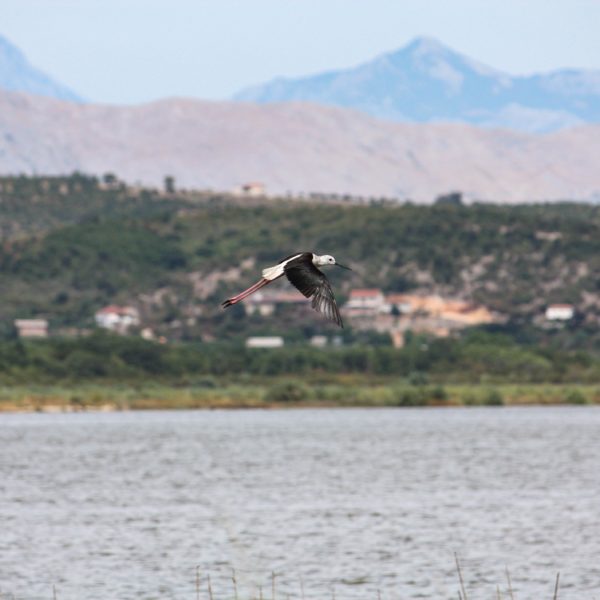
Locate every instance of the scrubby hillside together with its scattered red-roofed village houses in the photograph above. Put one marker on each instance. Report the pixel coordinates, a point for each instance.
(82, 253)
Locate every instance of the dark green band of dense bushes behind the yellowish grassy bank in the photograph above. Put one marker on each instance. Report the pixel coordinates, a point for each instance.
(478, 356)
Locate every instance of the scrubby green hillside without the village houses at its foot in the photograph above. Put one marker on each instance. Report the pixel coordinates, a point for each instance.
(72, 245)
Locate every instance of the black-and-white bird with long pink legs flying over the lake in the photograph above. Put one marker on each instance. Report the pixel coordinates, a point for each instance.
(302, 272)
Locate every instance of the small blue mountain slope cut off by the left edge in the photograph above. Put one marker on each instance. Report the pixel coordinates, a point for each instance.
(16, 74)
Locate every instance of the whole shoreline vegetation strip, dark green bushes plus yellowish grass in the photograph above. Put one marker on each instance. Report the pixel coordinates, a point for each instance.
(107, 371)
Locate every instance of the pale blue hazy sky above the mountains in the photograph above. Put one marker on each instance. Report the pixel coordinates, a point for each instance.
(125, 51)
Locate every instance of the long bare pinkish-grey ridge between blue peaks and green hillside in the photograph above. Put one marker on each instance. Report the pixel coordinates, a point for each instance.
(295, 147)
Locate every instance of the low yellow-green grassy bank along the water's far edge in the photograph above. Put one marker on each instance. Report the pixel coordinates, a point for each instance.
(285, 392)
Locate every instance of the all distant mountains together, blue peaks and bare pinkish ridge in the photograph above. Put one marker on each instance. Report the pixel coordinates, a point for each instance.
(303, 147)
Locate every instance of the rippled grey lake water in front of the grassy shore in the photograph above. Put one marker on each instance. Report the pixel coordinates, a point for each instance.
(125, 505)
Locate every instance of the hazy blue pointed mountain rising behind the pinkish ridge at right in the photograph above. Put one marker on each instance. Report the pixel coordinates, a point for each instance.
(428, 82)
